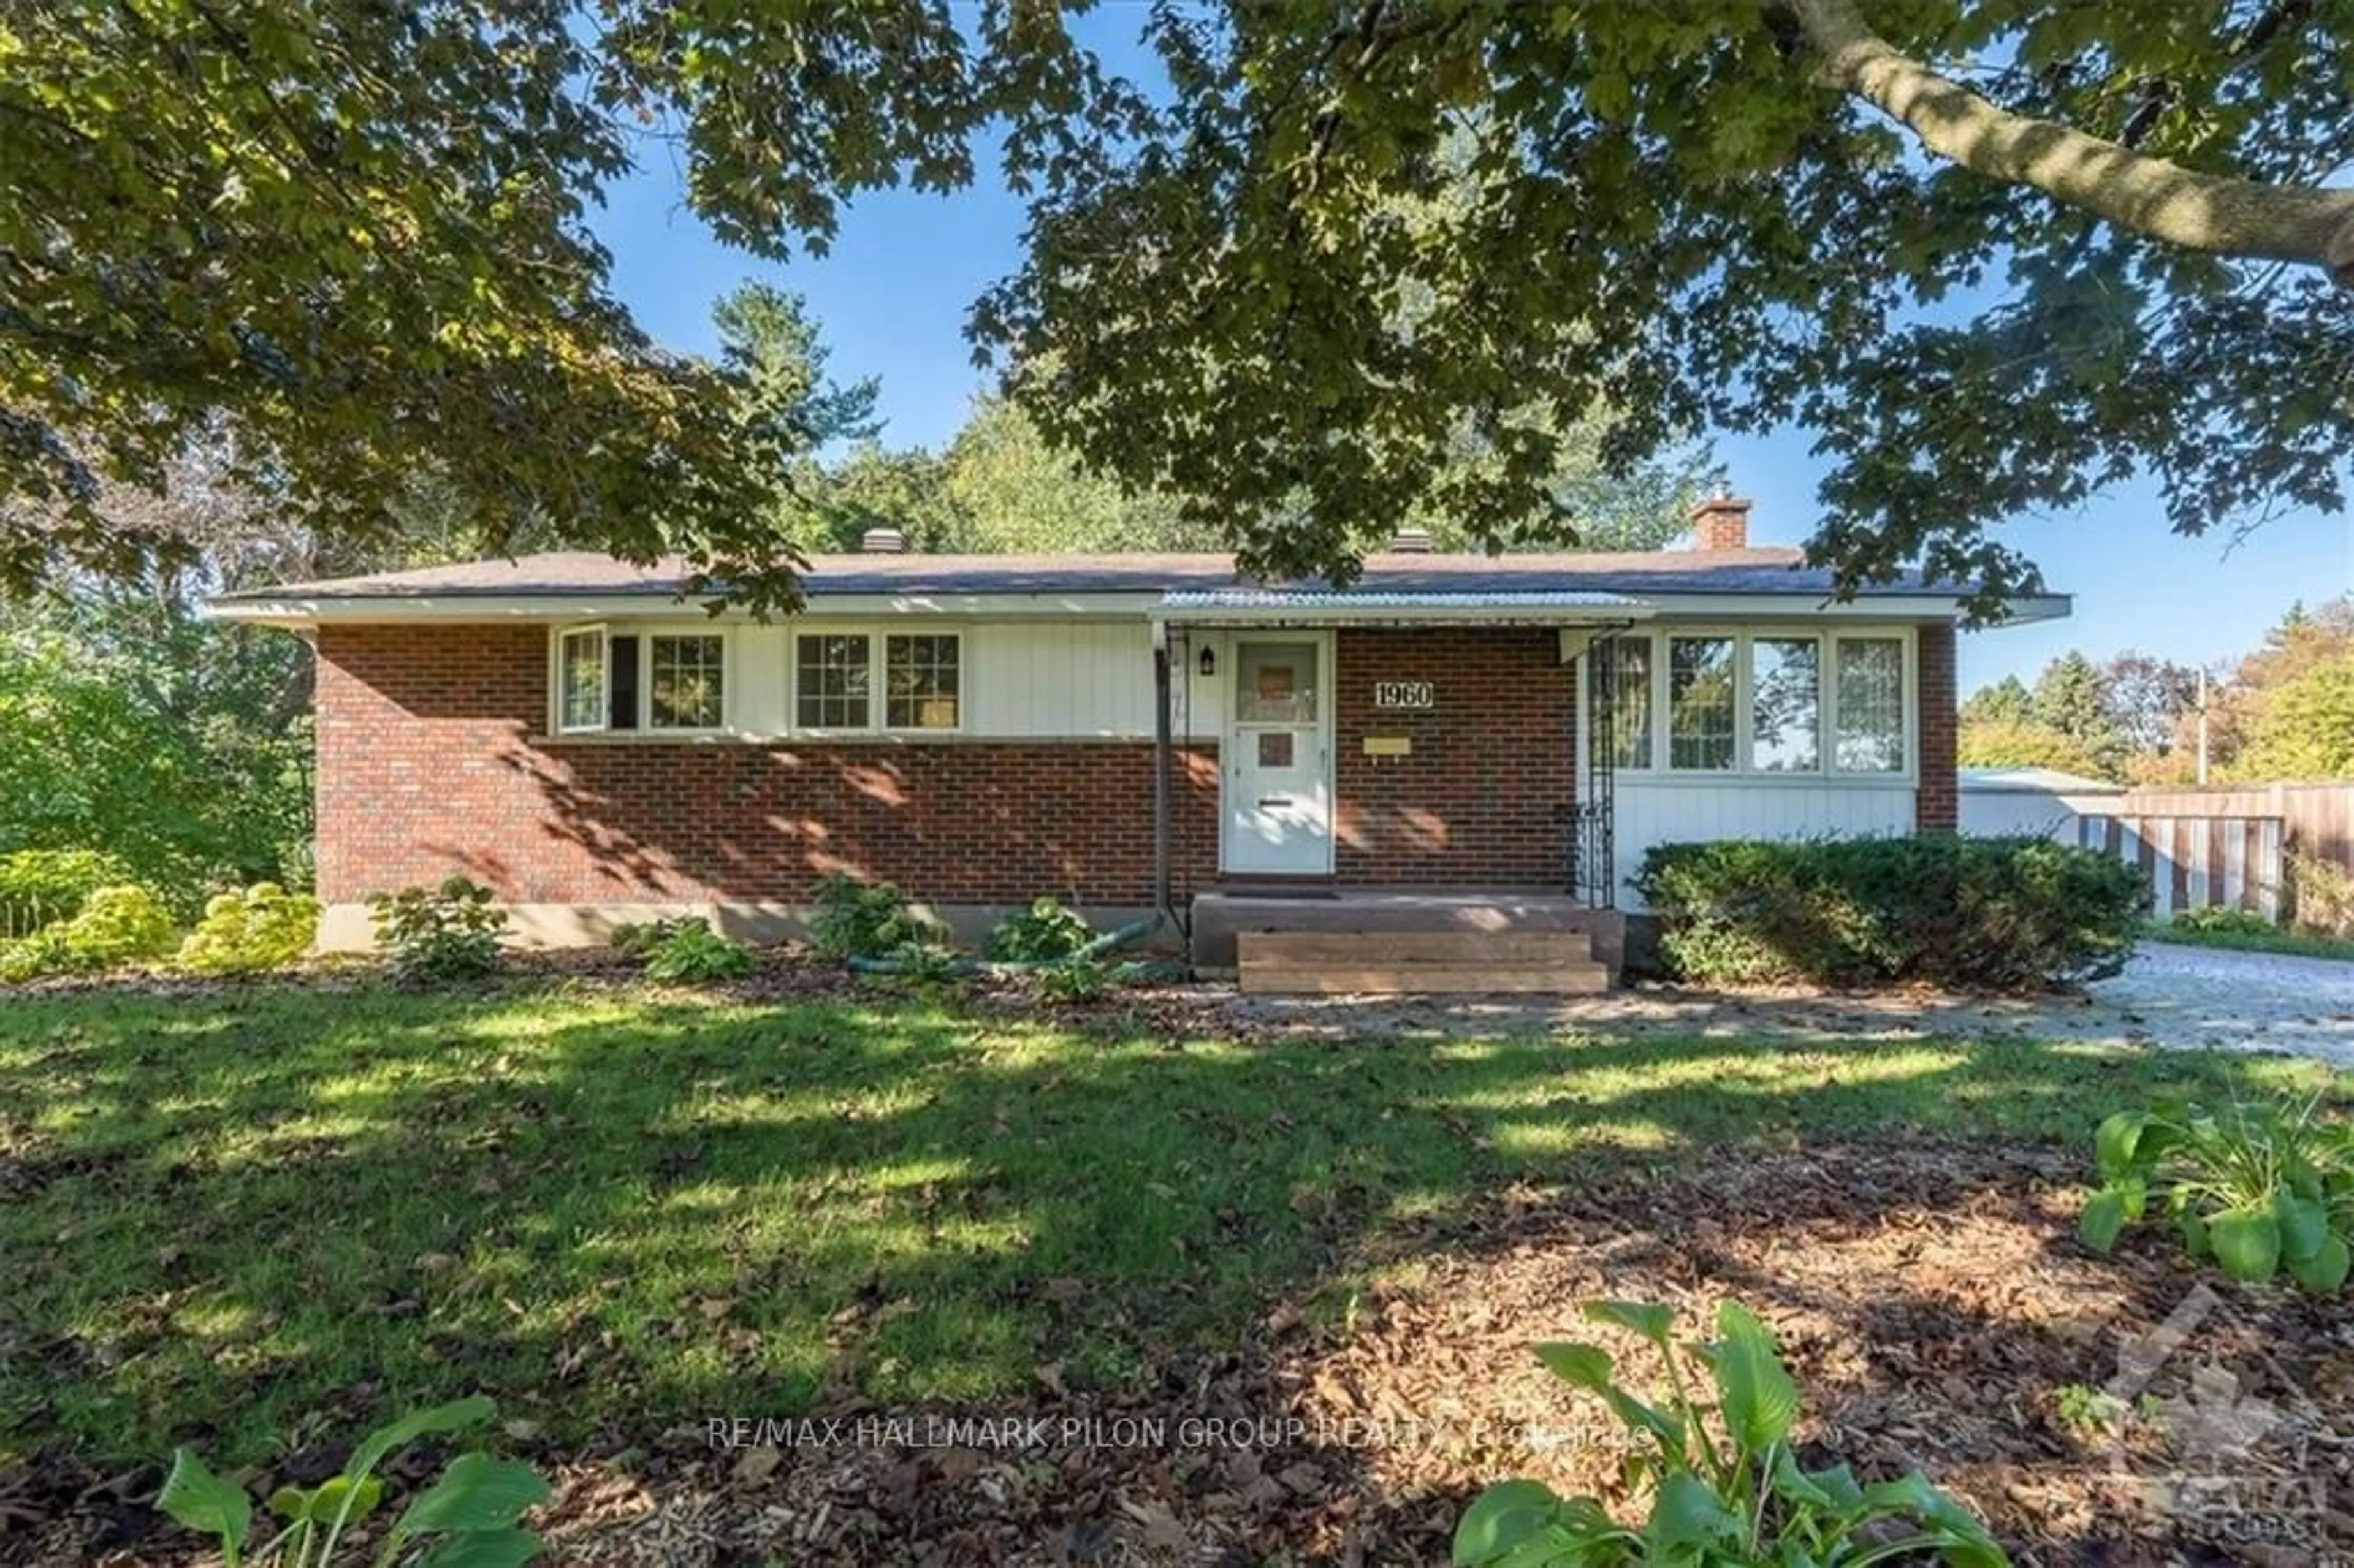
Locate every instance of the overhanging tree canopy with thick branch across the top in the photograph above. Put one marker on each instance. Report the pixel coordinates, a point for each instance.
(1995, 253)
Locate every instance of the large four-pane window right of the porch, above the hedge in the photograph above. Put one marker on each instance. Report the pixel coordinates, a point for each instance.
(1757, 703)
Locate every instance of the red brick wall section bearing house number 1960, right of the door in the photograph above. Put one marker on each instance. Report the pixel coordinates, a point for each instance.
(1482, 799)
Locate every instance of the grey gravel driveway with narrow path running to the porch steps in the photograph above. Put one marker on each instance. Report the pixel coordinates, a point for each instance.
(2174, 997)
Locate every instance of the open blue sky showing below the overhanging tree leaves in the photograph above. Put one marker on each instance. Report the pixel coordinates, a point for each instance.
(893, 293)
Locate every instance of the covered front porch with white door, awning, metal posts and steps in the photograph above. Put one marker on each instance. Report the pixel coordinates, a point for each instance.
(1414, 788)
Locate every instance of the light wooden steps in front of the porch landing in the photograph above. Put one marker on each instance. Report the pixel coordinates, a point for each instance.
(1418, 964)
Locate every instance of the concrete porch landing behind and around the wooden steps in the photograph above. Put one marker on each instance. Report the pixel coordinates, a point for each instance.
(1223, 915)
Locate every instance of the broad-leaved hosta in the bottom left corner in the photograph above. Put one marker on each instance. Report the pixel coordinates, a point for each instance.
(467, 1520)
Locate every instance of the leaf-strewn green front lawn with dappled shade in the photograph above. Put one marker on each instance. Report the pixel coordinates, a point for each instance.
(270, 1216)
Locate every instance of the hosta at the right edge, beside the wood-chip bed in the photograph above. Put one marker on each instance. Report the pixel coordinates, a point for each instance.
(2256, 1190)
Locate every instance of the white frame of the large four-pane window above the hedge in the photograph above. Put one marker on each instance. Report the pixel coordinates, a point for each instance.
(1743, 703)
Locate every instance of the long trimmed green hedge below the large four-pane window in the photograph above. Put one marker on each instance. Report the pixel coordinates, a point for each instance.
(1957, 912)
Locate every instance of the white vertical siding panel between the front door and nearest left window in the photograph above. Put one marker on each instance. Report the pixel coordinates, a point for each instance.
(1060, 679)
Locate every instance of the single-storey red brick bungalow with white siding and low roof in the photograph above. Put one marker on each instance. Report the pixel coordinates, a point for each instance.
(1126, 733)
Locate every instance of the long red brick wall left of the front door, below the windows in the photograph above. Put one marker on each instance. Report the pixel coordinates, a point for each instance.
(432, 762)
